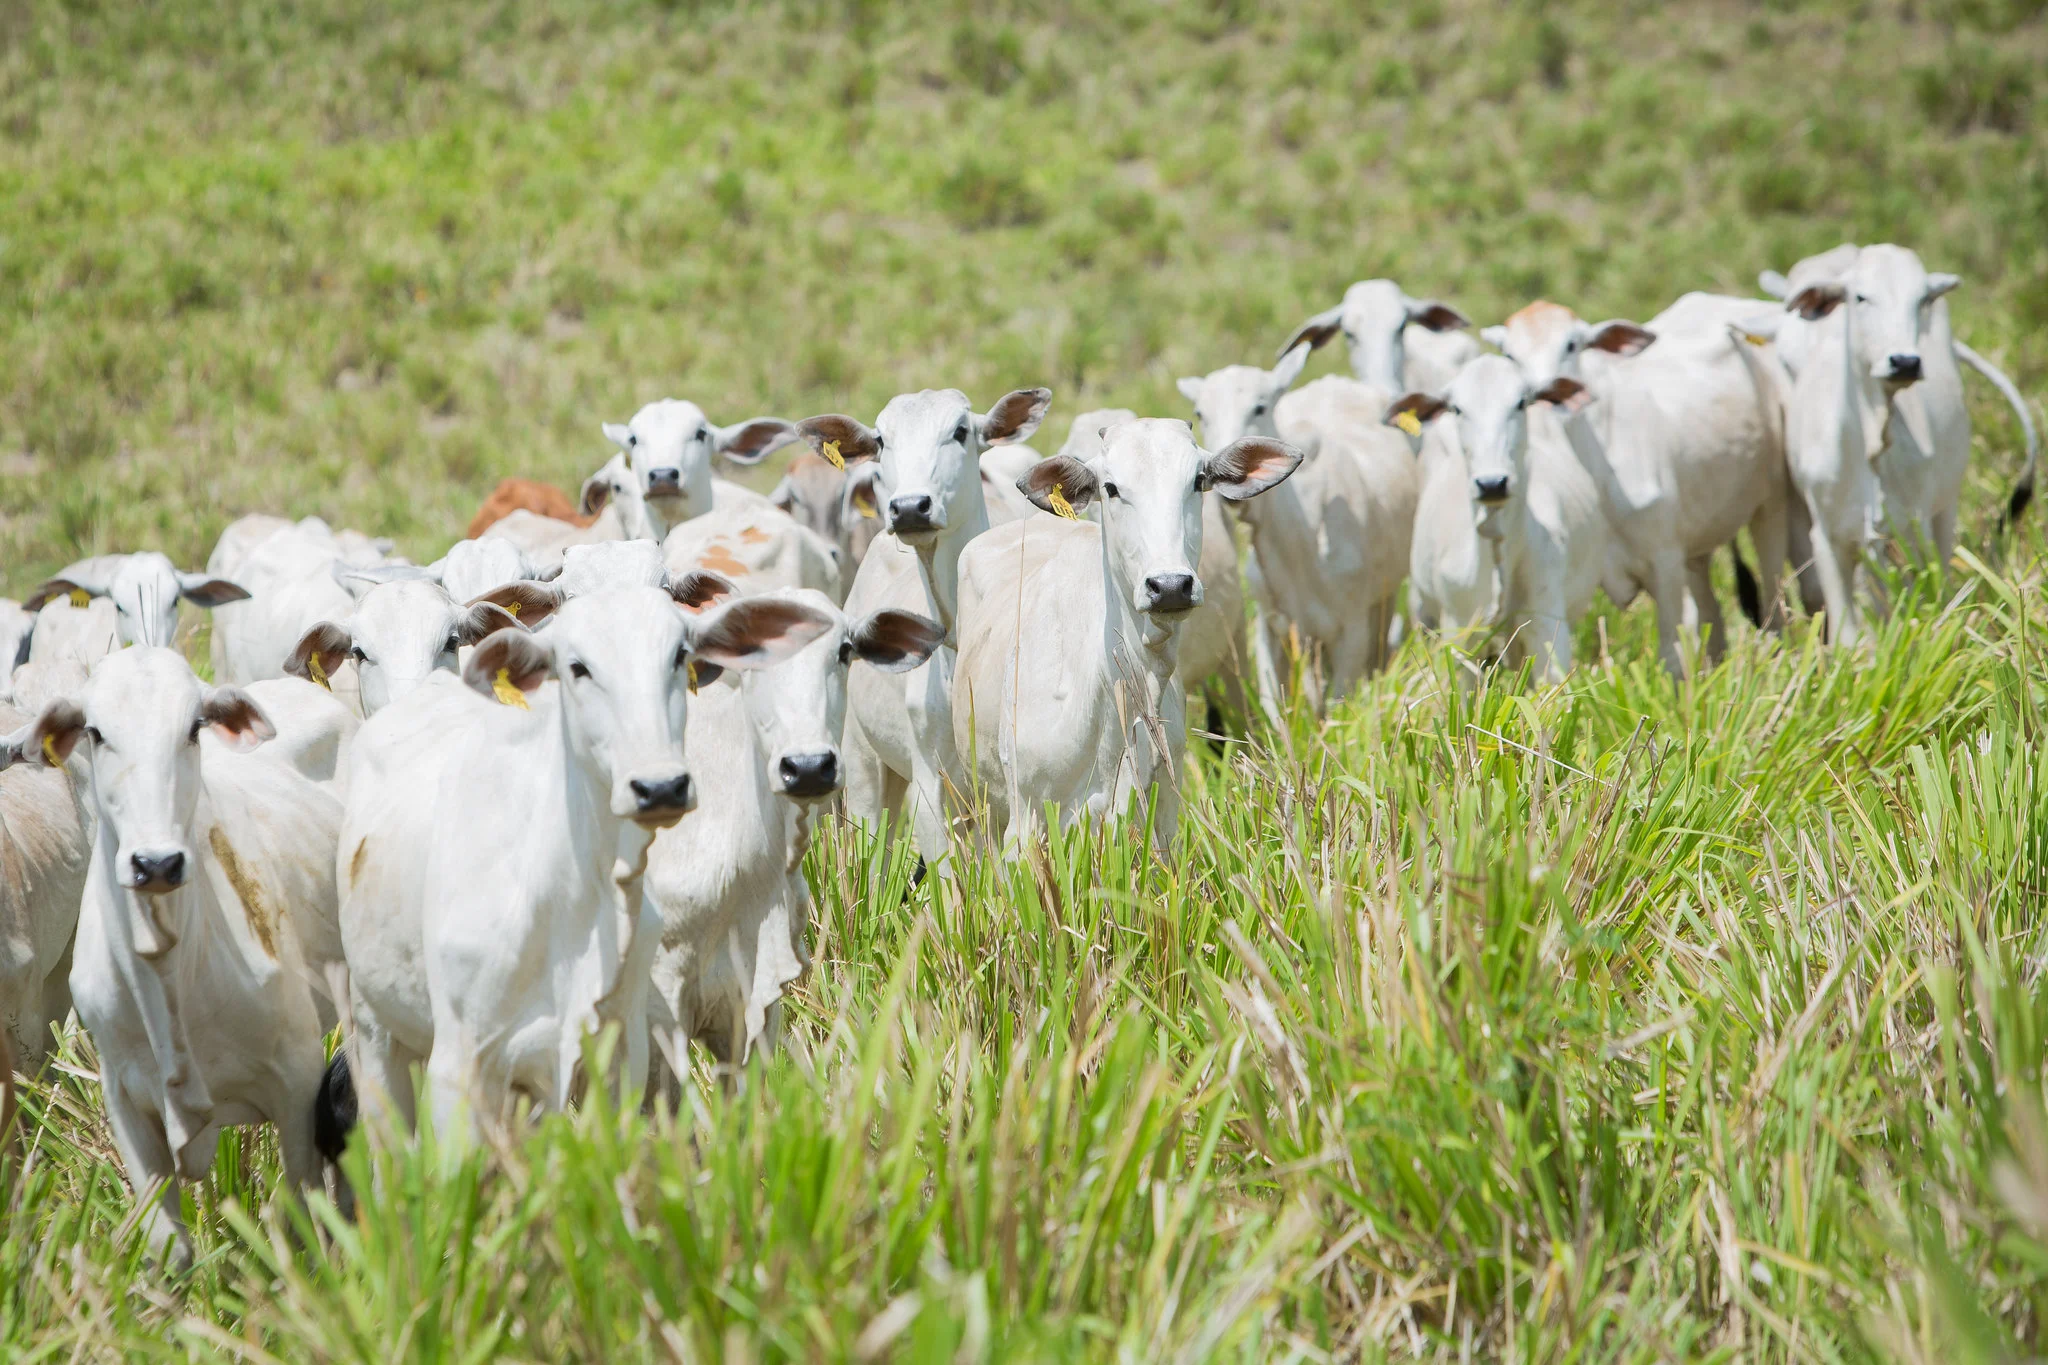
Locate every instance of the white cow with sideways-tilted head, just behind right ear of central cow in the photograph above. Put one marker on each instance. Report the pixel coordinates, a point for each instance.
(1332, 545)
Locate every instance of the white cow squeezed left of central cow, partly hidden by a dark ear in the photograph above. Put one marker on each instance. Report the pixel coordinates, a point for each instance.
(900, 728)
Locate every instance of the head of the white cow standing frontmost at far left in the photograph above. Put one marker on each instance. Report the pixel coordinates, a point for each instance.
(142, 713)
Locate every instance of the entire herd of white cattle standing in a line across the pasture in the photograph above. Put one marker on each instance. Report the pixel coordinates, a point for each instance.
(566, 777)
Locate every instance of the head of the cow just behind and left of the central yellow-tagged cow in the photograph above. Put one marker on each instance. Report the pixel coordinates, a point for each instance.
(929, 453)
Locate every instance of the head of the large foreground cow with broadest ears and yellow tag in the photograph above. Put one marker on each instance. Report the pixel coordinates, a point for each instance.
(624, 662)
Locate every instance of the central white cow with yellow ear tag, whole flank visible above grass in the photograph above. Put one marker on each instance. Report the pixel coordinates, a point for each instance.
(1070, 631)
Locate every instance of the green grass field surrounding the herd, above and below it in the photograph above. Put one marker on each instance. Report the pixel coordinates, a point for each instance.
(1619, 1020)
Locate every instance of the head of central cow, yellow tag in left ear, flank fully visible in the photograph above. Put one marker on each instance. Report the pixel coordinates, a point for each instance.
(1150, 480)
